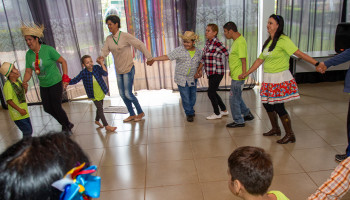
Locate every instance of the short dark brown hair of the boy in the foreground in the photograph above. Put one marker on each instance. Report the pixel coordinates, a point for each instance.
(252, 166)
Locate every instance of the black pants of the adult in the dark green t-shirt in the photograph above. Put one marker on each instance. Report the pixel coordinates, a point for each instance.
(51, 98)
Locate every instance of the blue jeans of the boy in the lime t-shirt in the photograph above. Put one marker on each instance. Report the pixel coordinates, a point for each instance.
(238, 107)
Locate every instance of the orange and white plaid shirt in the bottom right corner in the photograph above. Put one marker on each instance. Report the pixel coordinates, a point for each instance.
(337, 185)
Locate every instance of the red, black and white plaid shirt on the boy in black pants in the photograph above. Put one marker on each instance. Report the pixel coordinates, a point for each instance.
(212, 57)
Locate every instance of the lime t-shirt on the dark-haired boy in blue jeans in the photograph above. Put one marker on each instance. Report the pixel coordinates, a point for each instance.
(238, 51)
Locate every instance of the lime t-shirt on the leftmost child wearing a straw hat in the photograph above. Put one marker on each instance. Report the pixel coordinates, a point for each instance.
(11, 95)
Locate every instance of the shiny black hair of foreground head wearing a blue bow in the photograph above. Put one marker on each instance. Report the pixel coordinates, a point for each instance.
(29, 167)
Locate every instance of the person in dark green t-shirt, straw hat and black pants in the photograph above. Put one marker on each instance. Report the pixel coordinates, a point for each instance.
(42, 59)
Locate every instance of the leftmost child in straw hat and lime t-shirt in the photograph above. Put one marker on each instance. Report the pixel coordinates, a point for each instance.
(15, 98)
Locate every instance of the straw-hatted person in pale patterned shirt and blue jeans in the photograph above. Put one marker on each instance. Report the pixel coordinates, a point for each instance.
(187, 60)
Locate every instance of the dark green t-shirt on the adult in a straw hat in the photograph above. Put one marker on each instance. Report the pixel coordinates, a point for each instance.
(49, 72)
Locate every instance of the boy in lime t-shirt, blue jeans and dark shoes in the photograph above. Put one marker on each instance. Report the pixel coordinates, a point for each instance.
(238, 64)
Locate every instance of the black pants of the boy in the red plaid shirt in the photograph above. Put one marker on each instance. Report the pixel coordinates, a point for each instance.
(216, 101)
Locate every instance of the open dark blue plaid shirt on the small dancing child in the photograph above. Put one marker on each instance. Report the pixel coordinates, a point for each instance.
(98, 72)
